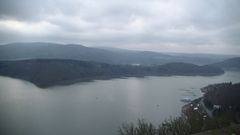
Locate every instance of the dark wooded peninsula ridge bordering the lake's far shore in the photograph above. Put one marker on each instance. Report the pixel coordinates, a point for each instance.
(50, 72)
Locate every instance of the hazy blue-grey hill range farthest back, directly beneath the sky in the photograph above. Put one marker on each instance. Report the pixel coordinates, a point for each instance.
(39, 50)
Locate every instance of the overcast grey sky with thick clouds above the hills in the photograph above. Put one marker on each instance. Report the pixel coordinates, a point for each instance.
(196, 26)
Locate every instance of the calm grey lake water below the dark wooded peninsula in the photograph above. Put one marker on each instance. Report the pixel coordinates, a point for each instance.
(95, 108)
